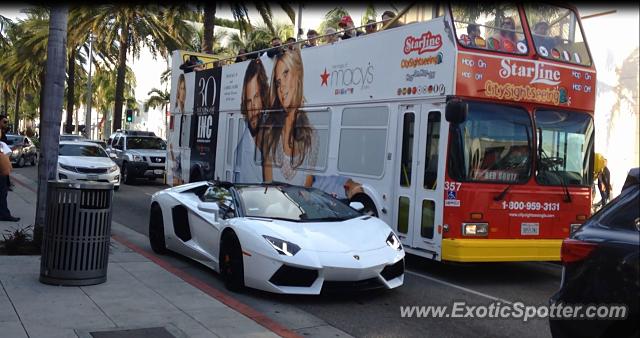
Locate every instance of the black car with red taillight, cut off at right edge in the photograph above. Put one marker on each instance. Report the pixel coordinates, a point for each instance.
(601, 267)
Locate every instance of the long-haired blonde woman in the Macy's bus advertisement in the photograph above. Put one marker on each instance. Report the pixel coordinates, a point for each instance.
(289, 141)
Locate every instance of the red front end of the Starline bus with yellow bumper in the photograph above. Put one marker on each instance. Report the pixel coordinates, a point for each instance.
(520, 152)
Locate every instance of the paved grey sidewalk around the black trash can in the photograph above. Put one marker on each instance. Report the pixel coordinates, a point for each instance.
(138, 294)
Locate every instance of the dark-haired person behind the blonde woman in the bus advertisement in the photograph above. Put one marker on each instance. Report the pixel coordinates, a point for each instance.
(255, 98)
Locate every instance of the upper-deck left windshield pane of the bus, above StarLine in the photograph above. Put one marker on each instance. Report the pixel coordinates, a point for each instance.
(489, 26)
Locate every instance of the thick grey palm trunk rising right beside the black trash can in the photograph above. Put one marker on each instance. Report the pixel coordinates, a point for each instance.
(51, 114)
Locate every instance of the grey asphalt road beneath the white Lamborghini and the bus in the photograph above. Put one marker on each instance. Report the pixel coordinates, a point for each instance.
(377, 313)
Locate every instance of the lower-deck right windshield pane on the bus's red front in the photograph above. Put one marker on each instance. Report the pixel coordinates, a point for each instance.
(565, 147)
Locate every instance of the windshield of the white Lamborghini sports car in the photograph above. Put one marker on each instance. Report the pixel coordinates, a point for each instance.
(293, 203)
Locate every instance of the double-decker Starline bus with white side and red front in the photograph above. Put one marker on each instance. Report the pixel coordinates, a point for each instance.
(471, 134)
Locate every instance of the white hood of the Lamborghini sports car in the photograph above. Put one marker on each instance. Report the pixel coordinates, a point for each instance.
(356, 234)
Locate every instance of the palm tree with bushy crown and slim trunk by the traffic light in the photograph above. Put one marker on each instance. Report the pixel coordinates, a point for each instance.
(134, 26)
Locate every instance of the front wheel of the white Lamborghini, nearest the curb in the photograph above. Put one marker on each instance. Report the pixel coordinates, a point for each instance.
(231, 265)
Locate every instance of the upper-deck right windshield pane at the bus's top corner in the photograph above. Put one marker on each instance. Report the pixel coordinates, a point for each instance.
(556, 33)
